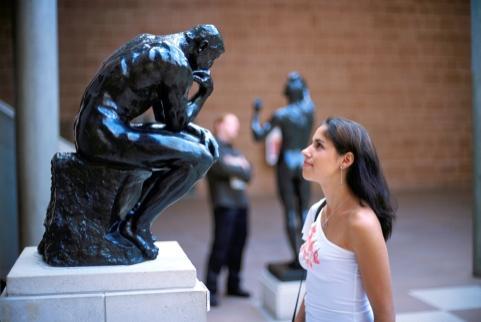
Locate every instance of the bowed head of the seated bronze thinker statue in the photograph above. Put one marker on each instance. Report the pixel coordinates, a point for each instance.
(205, 45)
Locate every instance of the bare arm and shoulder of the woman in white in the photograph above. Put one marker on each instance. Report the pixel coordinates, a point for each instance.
(368, 243)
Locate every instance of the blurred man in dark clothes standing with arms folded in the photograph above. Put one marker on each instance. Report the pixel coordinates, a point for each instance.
(227, 180)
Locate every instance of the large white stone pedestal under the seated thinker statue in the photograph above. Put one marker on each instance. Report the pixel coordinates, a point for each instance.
(165, 289)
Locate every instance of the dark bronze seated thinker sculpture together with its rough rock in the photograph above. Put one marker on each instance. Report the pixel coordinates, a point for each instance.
(106, 196)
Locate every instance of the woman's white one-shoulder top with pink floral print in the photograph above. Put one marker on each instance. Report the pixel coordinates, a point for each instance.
(334, 290)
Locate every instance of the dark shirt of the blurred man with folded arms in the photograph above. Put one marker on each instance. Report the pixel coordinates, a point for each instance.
(227, 182)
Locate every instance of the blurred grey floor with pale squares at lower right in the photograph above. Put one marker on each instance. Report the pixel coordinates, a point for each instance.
(430, 254)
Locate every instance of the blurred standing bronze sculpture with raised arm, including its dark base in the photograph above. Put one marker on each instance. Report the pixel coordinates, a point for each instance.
(295, 123)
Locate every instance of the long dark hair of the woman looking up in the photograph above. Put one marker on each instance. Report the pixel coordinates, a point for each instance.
(364, 177)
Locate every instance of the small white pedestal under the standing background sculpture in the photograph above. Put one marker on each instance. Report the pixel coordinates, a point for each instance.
(279, 298)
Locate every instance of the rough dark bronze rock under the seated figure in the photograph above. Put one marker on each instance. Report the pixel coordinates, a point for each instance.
(80, 227)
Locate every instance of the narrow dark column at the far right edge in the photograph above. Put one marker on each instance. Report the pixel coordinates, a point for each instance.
(476, 74)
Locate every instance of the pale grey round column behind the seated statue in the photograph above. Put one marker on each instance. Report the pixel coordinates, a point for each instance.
(37, 121)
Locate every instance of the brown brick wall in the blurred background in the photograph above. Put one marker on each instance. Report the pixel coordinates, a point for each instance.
(401, 68)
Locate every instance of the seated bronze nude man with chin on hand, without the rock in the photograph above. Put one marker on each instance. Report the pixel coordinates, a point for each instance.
(155, 72)
